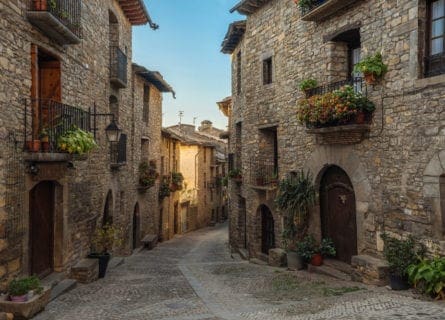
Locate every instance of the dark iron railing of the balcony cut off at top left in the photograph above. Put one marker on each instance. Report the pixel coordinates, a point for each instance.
(68, 12)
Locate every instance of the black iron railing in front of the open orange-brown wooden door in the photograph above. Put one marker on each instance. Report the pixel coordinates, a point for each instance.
(49, 120)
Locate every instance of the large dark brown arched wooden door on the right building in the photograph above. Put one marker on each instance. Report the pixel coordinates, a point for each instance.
(338, 214)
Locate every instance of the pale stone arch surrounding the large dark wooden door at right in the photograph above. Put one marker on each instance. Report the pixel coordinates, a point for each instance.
(324, 157)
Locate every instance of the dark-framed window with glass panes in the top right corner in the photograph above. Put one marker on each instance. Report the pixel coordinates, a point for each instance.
(435, 55)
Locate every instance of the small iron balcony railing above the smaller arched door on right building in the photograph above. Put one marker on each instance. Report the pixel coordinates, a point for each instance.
(263, 173)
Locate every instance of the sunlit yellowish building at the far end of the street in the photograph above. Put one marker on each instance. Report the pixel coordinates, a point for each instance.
(201, 160)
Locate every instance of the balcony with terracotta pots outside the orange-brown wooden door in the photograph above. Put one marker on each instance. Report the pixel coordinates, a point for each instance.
(45, 122)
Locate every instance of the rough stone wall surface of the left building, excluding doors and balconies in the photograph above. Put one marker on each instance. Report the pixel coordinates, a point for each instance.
(84, 192)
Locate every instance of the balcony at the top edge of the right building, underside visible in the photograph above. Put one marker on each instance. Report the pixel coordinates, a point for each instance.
(320, 9)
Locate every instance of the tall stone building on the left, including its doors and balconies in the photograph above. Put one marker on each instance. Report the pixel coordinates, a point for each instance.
(67, 64)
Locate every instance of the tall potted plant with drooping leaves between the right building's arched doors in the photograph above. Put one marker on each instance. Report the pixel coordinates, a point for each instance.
(295, 197)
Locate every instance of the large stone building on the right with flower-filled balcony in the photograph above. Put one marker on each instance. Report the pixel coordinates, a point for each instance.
(386, 176)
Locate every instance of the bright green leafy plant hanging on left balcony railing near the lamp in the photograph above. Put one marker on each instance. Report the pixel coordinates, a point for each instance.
(76, 141)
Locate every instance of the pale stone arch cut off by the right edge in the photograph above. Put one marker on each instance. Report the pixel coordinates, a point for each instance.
(434, 191)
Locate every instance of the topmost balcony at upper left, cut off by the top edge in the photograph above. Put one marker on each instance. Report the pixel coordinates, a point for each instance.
(57, 19)
